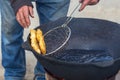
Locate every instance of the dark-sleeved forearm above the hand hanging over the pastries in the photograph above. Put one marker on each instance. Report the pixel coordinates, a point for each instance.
(16, 4)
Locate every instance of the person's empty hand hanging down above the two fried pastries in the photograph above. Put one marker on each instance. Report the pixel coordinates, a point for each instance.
(23, 16)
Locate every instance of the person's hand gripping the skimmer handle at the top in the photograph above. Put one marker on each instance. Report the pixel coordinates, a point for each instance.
(87, 2)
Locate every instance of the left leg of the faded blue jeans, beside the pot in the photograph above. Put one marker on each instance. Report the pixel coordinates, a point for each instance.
(13, 55)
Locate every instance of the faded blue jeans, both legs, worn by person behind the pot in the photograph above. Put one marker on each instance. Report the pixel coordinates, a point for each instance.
(13, 55)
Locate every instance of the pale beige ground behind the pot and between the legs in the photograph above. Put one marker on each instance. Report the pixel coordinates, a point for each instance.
(106, 9)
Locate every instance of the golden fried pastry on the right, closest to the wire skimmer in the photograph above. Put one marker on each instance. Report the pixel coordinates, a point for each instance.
(41, 41)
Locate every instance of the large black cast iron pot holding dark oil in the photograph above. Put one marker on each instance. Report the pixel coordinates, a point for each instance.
(87, 34)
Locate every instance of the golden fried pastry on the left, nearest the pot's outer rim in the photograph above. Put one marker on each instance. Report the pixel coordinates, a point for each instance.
(34, 42)
